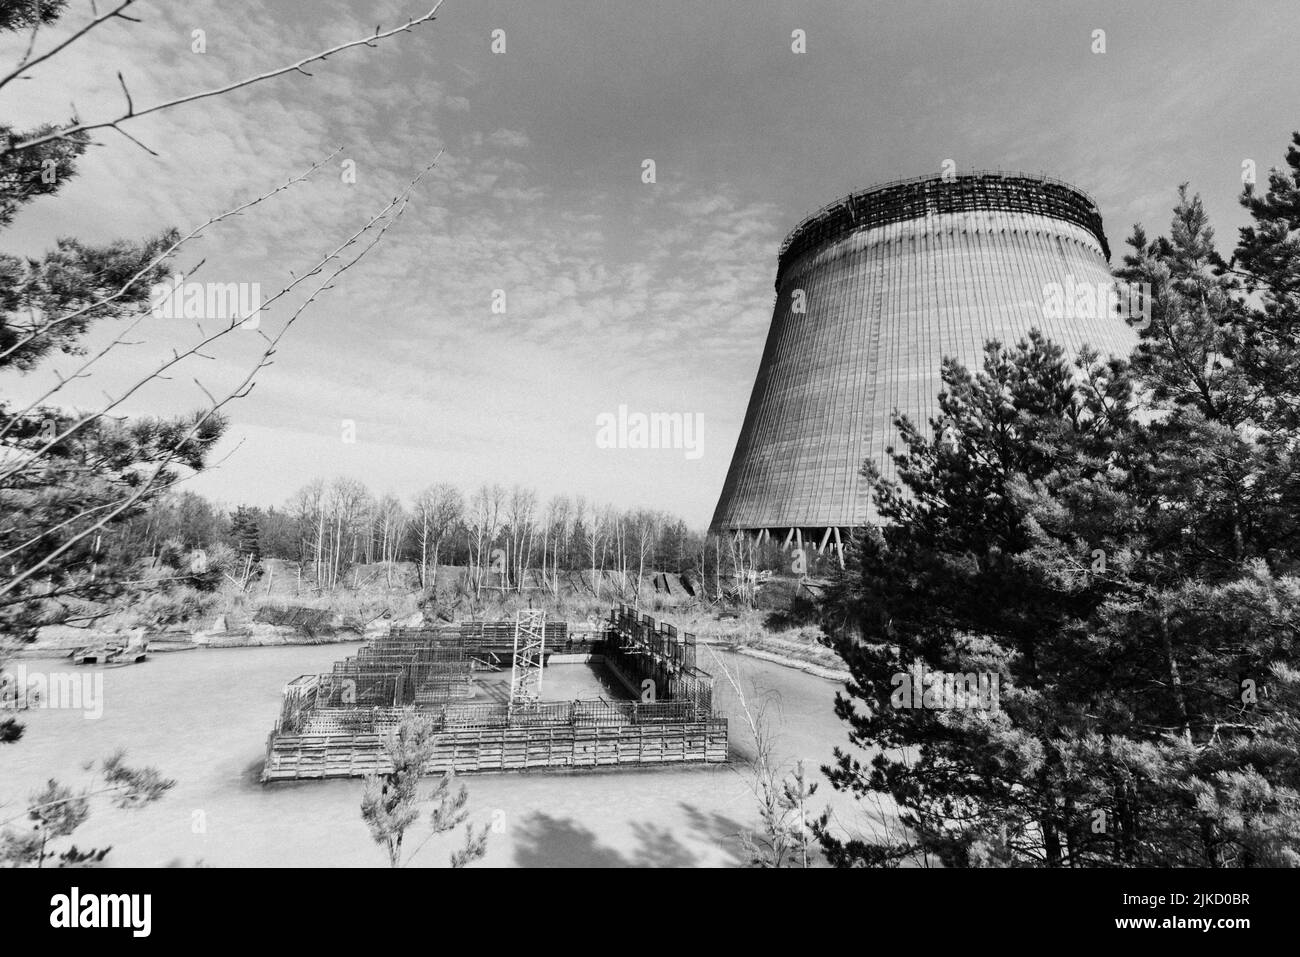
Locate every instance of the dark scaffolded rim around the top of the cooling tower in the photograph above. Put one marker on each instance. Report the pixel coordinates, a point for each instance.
(1032, 193)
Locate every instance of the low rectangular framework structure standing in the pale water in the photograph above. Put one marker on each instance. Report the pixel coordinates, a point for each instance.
(335, 726)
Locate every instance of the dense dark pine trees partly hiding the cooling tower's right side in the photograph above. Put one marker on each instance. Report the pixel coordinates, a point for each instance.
(1113, 543)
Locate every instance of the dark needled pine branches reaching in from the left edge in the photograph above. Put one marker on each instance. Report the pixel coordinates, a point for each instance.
(63, 470)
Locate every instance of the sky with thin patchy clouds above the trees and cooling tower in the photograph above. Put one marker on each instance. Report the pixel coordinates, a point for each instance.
(617, 292)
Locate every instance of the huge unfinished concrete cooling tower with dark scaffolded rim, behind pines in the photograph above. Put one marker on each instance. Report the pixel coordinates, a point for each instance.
(872, 293)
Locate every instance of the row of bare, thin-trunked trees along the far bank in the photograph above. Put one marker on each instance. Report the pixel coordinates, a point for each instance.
(500, 535)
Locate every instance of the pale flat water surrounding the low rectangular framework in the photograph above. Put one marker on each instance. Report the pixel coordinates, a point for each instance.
(203, 718)
